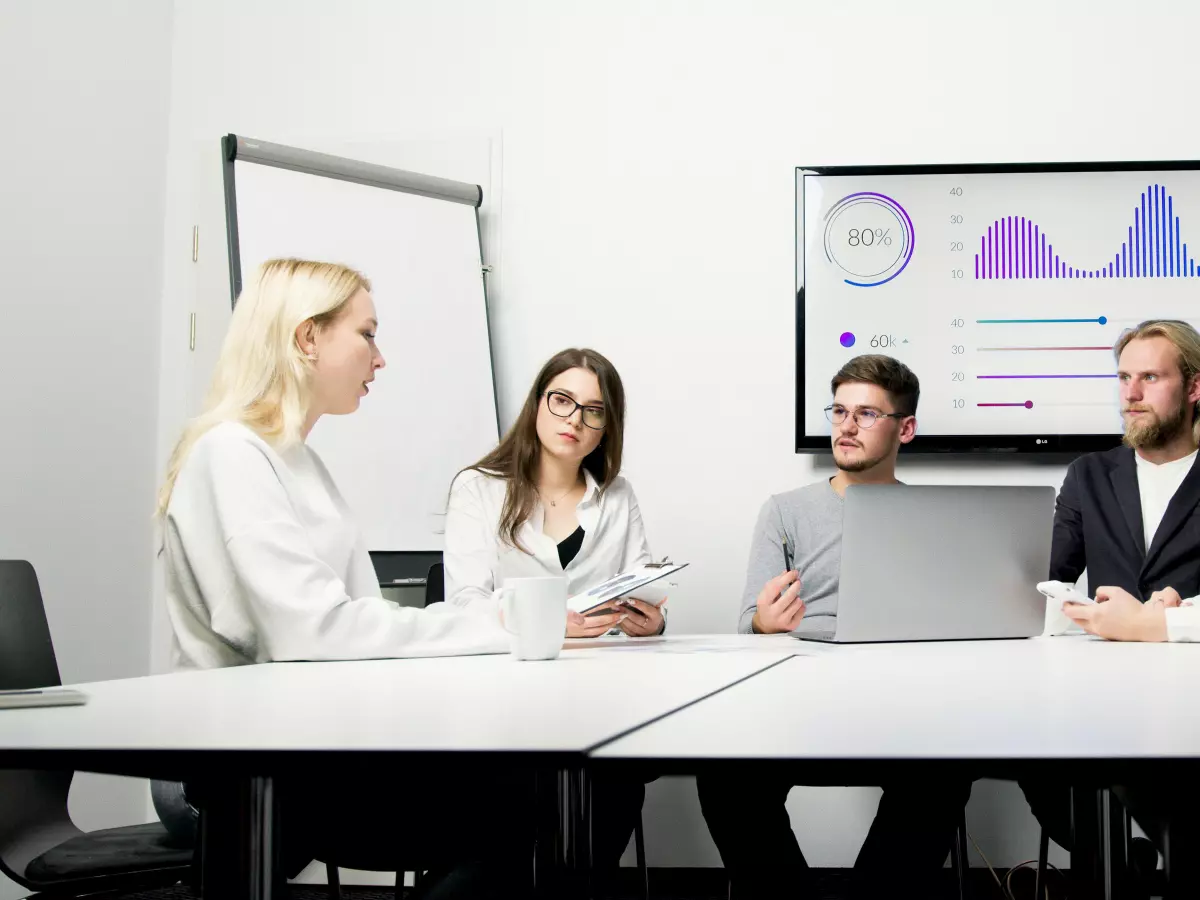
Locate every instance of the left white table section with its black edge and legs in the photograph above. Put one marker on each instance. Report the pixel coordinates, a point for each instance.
(237, 730)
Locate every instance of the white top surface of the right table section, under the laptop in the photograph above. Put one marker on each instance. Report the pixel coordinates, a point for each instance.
(1043, 699)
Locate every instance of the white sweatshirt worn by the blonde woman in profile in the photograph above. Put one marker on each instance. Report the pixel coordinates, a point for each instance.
(265, 563)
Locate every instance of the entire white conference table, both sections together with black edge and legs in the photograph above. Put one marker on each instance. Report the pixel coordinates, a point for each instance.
(686, 703)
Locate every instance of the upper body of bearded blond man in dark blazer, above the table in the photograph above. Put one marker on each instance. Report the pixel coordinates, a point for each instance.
(1132, 517)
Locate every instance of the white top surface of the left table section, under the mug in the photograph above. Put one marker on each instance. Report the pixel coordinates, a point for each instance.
(595, 692)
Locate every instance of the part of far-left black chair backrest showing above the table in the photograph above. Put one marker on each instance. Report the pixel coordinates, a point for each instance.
(27, 655)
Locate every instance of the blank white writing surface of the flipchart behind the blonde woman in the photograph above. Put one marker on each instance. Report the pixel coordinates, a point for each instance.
(433, 410)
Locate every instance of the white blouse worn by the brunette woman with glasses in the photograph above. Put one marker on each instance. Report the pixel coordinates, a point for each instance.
(478, 562)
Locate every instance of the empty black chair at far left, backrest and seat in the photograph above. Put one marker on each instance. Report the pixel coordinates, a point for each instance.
(40, 847)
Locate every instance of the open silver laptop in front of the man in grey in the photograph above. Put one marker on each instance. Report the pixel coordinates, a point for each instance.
(941, 563)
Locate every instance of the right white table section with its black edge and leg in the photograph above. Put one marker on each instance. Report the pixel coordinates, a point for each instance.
(1079, 711)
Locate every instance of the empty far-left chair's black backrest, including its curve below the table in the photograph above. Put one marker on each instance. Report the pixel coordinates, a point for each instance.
(33, 805)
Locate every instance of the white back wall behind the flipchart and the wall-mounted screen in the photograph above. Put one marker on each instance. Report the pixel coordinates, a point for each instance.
(649, 154)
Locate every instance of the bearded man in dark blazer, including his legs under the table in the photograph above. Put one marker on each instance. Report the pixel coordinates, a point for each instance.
(1131, 518)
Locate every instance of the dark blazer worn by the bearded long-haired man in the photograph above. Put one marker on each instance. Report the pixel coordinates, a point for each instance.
(1099, 526)
